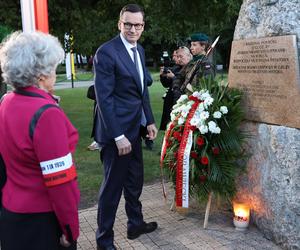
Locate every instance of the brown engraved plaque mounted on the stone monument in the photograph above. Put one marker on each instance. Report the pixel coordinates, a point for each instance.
(267, 71)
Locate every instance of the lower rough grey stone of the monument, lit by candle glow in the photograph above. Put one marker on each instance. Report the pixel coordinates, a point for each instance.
(272, 183)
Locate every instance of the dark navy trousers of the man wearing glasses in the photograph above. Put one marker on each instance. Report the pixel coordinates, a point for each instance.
(121, 173)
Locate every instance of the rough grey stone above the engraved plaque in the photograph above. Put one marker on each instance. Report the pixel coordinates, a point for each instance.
(263, 18)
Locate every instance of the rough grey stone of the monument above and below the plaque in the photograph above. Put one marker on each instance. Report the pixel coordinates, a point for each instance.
(272, 182)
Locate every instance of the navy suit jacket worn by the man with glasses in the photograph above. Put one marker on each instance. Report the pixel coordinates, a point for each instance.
(119, 93)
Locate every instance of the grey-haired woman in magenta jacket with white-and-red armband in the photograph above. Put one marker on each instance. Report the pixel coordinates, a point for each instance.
(40, 197)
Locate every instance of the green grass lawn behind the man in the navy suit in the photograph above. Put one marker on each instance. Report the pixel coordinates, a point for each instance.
(79, 110)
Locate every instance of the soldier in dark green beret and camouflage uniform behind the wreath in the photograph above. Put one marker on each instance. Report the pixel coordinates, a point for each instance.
(191, 73)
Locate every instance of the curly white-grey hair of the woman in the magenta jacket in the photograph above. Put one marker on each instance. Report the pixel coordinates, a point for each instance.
(25, 57)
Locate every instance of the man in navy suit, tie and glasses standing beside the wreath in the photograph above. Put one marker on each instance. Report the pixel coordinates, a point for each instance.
(123, 106)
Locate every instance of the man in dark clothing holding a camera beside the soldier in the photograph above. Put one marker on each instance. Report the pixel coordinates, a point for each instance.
(183, 57)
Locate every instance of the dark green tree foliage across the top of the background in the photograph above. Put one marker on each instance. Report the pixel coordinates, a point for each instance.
(168, 23)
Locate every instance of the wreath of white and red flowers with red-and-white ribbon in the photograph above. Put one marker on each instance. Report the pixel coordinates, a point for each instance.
(202, 147)
